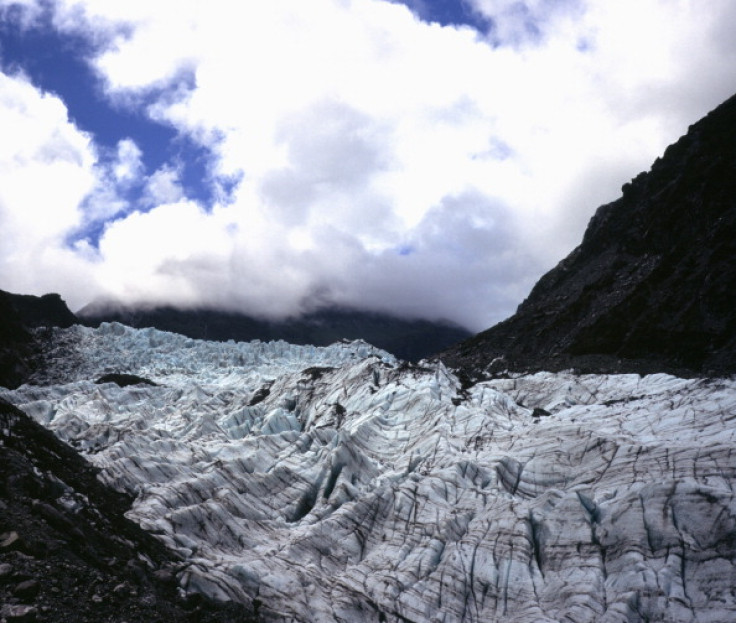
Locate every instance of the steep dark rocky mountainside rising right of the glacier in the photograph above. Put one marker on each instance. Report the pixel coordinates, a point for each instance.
(651, 287)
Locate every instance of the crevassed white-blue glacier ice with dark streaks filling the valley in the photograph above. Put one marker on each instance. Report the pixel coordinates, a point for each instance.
(339, 484)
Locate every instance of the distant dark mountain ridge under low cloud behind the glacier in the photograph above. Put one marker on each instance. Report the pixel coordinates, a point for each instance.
(411, 340)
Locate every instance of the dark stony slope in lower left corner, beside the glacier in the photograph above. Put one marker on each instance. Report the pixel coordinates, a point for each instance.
(68, 554)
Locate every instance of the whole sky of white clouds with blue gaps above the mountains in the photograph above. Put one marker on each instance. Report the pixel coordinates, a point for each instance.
(424, 158)
